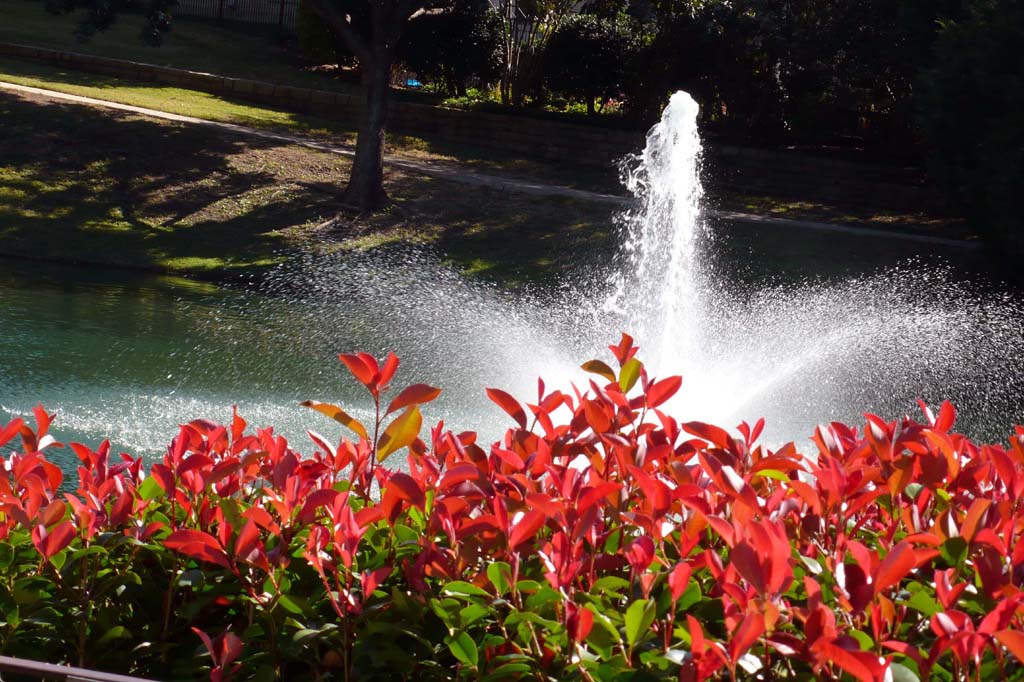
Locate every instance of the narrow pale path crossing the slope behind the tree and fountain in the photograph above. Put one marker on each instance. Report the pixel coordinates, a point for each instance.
(457, 175)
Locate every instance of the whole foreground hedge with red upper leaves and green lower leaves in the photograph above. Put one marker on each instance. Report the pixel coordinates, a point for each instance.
(600, 539)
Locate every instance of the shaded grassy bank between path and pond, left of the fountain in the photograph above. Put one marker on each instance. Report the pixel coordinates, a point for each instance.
(79, 184)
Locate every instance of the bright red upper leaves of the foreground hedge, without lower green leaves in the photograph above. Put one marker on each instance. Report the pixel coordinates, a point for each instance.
(809, 559)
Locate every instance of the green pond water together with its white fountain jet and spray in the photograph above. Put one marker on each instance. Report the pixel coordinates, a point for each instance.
(131, 362)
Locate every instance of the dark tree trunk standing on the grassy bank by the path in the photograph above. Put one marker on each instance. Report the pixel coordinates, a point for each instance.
(366, 185)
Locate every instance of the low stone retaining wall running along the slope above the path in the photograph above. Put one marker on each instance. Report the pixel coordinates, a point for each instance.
(774, 173)
